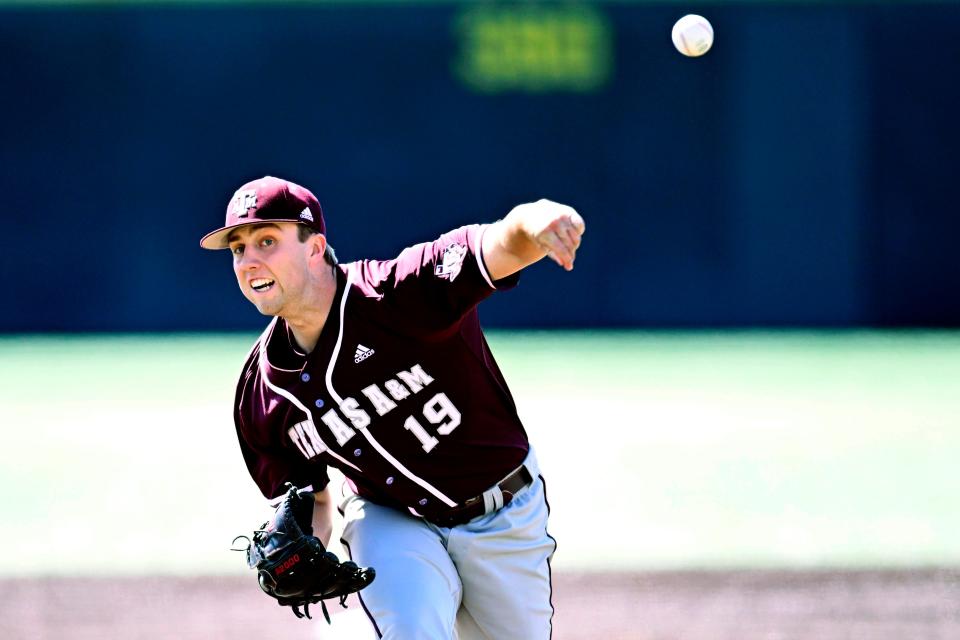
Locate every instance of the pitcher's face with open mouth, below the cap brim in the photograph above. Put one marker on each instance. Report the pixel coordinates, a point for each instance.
(271, 266)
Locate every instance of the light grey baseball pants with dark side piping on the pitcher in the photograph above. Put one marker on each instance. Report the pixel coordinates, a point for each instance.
(487, 579)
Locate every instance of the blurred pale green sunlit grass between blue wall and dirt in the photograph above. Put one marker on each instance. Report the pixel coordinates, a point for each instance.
(661, 450)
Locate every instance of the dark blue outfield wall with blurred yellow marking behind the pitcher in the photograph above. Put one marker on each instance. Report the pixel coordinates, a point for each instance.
(800, 174)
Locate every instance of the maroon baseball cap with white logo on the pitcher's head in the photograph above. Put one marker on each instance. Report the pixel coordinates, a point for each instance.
(268, 199)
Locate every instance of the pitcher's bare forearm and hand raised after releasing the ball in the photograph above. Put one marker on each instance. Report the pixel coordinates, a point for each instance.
(530, 232)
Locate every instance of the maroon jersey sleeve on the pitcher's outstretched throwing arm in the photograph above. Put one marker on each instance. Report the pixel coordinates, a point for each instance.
(434, 285)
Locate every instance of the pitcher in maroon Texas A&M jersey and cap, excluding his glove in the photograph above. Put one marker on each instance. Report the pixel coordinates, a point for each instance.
(379, 368)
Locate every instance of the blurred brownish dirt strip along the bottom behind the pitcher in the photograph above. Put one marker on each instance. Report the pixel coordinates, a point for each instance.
(761, 605)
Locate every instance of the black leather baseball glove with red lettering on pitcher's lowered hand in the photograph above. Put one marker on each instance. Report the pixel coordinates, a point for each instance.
(292, 564)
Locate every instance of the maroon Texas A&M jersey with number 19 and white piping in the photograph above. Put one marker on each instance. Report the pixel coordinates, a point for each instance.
(401, 392)
